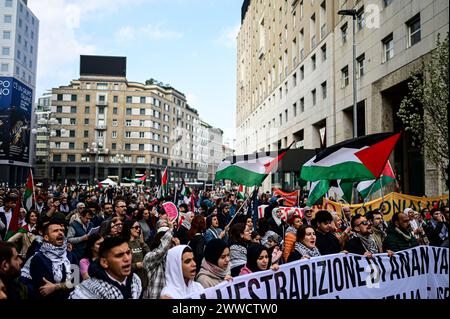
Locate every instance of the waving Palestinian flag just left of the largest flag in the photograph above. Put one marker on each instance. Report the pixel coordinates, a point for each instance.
(249, 170)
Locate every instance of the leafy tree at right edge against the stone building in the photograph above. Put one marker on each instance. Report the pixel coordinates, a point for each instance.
(424, 111)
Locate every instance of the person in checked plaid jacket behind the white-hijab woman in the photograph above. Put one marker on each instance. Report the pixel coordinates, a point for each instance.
(155, 261)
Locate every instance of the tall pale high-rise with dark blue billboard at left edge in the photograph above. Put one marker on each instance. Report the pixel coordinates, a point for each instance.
(19, 33)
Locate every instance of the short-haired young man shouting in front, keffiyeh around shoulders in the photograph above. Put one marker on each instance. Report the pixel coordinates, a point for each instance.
(110, 276)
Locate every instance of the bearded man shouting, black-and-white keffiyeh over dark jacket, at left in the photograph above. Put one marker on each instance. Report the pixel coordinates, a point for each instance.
(50, 268)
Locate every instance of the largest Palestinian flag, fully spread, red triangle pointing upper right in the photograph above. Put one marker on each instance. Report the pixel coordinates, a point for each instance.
(358, 159)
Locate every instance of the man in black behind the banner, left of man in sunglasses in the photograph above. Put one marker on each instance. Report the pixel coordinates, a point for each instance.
(326, 241)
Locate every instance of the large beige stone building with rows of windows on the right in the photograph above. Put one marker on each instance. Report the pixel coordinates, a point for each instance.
(295, 67)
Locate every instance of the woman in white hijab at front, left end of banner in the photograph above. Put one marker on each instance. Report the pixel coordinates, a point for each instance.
(180, 274)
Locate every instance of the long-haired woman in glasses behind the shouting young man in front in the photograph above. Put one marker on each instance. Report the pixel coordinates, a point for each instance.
(133, 235)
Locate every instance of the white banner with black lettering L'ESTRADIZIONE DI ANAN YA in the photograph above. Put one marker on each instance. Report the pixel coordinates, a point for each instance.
(417, 273)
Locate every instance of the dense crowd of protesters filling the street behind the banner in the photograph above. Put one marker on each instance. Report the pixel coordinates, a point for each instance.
(119, 243)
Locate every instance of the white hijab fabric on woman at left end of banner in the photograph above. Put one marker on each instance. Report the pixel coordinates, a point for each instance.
(175, 285)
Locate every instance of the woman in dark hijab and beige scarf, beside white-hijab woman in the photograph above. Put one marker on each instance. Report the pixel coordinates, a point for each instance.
(215, 267)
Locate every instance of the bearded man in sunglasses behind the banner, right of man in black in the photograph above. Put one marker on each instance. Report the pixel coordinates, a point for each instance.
(363, 243)
